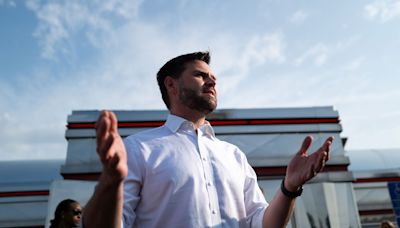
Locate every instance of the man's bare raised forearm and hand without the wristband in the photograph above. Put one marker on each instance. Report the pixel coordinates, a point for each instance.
(105, 207)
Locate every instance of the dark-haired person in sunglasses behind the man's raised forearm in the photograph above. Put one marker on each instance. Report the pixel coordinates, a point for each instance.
(67, 214)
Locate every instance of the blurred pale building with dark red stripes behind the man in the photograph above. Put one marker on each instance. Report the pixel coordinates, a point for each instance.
(352, 191)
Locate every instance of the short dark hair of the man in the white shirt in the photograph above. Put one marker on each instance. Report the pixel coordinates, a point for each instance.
(174, 69)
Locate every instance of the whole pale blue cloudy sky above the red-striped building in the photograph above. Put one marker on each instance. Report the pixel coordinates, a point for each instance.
(59, 56)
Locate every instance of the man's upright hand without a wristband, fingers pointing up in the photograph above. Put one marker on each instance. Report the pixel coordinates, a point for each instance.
(111, 149)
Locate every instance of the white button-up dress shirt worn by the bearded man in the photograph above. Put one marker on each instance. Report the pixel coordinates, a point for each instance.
(180, 178)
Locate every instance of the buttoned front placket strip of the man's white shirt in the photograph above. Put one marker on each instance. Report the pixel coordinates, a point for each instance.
(209, 180)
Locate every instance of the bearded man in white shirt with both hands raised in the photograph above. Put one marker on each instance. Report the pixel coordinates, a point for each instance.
(180, 175)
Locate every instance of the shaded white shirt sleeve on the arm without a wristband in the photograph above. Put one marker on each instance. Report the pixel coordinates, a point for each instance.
(133, 182)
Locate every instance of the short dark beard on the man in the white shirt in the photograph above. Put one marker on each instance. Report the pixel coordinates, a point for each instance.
(192, 99)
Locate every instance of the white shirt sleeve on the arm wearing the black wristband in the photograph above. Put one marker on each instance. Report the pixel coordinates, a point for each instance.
(255, 202)
